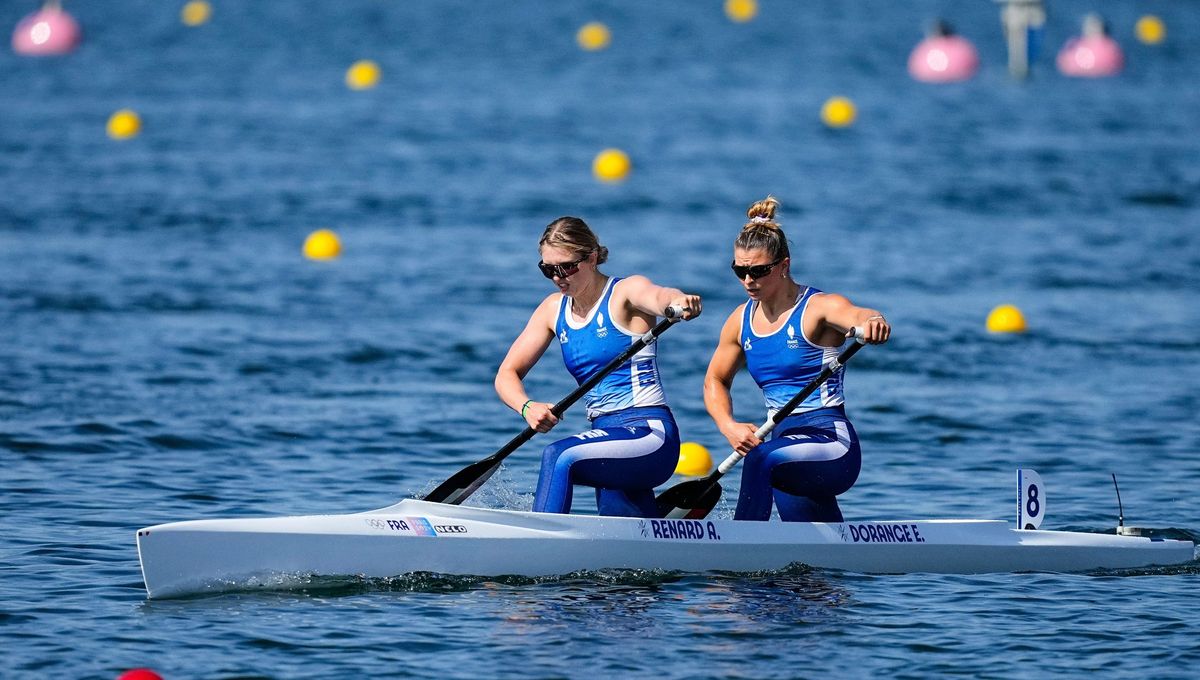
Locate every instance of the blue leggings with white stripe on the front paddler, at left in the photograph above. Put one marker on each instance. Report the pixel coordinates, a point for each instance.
(627, 455)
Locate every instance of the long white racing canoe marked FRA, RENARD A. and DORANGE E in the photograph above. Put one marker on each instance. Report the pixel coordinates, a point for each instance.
(417, 537)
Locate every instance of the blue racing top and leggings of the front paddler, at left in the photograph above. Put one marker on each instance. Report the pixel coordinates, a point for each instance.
(635, 443)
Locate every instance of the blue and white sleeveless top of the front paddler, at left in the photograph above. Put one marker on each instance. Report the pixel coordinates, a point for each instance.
(590, 346)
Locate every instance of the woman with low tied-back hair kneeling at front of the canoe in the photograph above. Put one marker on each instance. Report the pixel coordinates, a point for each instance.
(635, 443)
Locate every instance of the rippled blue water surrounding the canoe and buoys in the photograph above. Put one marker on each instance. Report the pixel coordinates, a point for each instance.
(167, 354)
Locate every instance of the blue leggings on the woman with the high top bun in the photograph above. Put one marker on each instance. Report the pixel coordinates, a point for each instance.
(813, 459)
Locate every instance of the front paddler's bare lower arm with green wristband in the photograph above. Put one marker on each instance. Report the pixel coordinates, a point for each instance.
(523, 356)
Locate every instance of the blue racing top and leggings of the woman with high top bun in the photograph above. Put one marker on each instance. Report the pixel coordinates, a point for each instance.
(814, 454)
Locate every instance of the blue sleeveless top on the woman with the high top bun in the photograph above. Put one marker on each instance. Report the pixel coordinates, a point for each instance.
(783, 363)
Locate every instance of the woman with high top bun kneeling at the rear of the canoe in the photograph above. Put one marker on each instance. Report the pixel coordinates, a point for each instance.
(784, 335)
